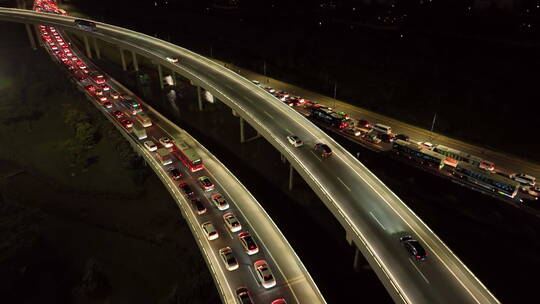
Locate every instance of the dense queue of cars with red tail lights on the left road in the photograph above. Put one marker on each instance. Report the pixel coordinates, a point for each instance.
(236, 248)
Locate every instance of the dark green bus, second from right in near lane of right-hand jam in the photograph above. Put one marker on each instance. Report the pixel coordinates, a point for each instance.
(415, 152)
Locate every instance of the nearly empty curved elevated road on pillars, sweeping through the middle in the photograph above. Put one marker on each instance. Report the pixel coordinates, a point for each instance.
(373, 216)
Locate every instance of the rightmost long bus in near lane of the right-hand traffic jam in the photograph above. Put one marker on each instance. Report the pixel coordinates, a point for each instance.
(486, 179)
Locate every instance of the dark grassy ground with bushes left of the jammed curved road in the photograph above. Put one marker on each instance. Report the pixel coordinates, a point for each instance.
(82, 220)
